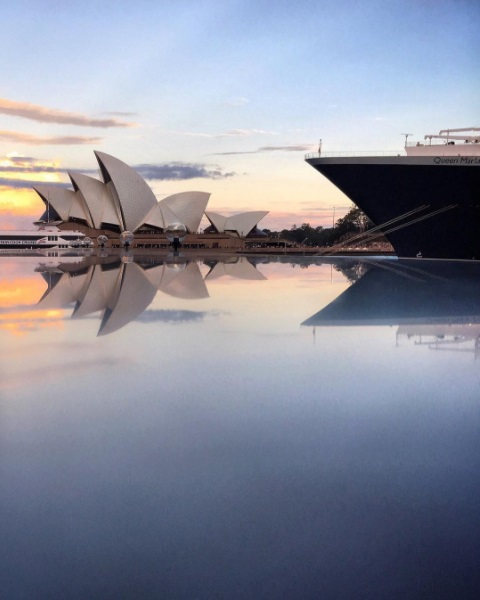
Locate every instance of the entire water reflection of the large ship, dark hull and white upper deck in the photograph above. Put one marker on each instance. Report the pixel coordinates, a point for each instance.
(436, 303)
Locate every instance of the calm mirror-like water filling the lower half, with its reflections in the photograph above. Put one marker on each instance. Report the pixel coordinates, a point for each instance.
(255, 428)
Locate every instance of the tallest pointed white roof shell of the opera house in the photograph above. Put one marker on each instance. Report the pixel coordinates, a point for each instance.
(135, 198)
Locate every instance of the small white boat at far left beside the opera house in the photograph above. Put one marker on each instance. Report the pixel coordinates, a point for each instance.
(47, 236)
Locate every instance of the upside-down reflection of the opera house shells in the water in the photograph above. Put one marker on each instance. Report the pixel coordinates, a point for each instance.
(123, 289)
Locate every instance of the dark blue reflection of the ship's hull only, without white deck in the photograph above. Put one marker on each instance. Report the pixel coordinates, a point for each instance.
(407, 292)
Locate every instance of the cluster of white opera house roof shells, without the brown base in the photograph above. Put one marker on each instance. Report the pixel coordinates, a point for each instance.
(123, 201)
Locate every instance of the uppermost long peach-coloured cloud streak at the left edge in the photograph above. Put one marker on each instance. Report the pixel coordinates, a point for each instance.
(49, 115)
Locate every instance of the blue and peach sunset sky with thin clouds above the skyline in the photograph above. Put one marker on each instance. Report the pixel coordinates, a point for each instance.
(226, 96)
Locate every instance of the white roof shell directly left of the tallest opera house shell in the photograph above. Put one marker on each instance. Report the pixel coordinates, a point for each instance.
(100, 203)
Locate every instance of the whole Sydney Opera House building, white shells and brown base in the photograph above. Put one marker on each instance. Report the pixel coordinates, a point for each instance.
(124, 202)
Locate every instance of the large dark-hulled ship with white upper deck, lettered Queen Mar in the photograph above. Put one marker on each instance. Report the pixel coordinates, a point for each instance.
(426, 201)
